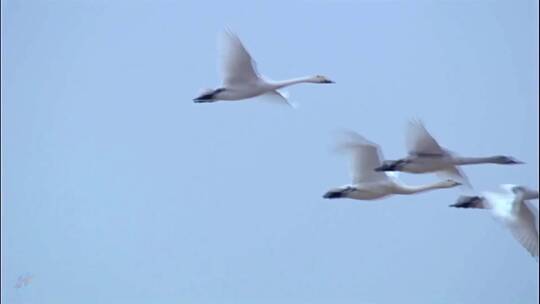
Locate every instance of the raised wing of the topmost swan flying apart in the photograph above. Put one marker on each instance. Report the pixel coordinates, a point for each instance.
(237, 65)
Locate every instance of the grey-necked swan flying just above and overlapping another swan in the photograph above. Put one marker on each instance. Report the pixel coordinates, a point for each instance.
(426, 155)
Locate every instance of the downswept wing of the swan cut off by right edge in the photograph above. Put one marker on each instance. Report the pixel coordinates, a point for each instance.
(524, 229)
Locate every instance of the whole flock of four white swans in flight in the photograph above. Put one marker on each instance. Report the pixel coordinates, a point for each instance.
(373, 176)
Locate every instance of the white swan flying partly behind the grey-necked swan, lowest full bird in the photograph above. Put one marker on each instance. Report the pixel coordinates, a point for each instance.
(369, 184)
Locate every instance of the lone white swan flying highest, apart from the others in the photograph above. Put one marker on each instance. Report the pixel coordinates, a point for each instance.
(241, 79)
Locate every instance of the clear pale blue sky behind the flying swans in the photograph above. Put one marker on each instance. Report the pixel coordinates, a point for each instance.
(117, 188)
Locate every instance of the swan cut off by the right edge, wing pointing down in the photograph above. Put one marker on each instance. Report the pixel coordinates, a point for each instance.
(510, 208)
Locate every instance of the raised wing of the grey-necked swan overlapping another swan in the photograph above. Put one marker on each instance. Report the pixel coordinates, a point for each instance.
(419, 141)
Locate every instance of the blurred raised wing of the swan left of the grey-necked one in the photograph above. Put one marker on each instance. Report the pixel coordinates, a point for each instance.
(365, 156)
